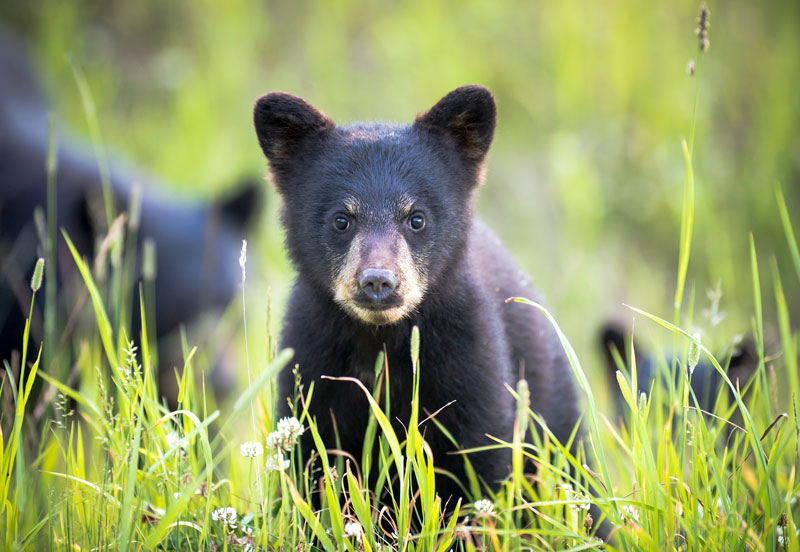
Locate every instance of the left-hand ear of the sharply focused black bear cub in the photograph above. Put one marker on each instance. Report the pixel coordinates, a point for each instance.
(283, 121)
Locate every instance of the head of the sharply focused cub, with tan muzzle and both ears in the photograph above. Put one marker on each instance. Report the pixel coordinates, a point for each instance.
(375, 214)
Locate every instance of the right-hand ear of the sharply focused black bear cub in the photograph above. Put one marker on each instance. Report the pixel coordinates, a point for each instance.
(468, 115)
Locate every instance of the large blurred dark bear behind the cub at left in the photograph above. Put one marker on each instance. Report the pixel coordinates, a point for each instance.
(197, 245)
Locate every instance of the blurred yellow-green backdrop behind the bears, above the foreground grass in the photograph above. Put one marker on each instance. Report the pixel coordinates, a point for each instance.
(586, 174)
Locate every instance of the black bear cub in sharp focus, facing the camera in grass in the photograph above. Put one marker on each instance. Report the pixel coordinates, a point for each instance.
(381, 228)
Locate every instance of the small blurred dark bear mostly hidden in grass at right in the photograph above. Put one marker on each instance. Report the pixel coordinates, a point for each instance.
(740, 363)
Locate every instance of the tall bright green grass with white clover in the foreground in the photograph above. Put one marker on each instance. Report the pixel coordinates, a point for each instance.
(123, 471)
